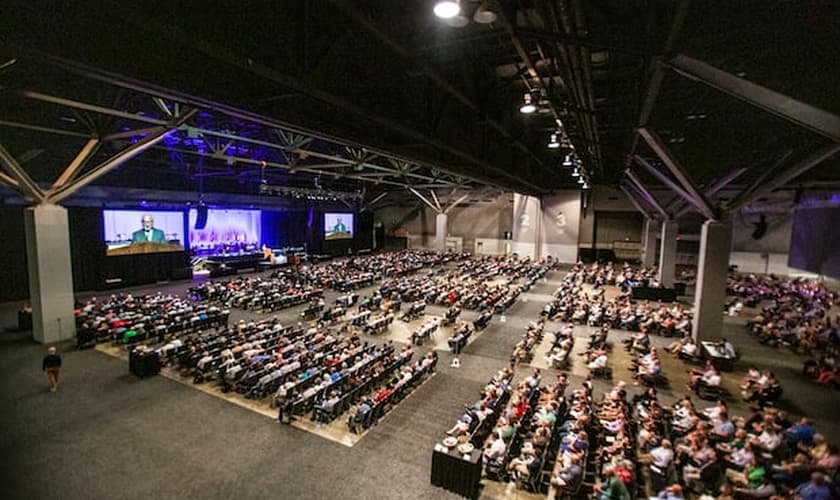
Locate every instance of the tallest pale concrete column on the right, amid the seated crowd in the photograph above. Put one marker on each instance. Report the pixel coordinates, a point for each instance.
(712, 270)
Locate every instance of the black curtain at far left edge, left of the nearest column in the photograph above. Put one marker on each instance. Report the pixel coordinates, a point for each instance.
(13, 274)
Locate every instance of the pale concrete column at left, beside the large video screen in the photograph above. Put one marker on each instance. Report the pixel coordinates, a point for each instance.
(50, 273)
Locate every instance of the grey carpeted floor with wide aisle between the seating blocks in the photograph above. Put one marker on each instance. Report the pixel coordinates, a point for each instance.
(108, 435)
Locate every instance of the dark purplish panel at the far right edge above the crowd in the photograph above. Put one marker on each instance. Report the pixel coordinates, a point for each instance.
(815, 242)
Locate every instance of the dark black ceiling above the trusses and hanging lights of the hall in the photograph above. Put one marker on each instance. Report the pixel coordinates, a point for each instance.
(390, 76)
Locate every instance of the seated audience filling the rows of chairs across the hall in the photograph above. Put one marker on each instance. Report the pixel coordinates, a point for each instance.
(535, 437)
